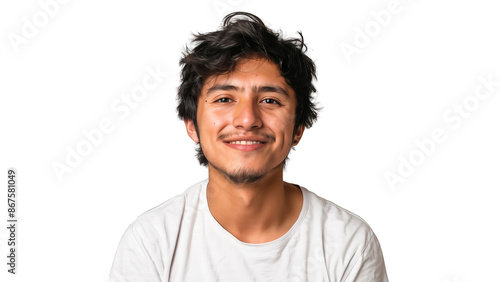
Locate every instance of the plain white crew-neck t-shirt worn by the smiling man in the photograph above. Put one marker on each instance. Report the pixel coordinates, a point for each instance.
(180, 240)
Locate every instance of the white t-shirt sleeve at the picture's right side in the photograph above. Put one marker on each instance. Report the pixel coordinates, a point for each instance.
(369, 265)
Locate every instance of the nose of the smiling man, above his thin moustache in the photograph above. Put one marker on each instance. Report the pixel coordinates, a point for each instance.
(247, 115)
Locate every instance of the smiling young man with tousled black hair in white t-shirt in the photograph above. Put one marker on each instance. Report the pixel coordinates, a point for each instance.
(245, 98)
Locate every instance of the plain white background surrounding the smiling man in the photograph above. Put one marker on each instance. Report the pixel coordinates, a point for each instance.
(440, 224)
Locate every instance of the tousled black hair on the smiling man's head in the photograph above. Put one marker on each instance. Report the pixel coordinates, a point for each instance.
(218, 52)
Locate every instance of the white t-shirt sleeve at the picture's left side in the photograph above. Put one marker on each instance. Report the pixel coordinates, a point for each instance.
(133, 263)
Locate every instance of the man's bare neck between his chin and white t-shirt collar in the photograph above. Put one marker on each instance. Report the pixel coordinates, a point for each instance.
(256, 212)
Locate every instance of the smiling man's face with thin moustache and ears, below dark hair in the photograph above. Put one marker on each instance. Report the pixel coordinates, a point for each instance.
(245, 121)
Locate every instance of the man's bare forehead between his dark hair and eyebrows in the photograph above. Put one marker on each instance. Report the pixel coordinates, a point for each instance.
(250, 73)
